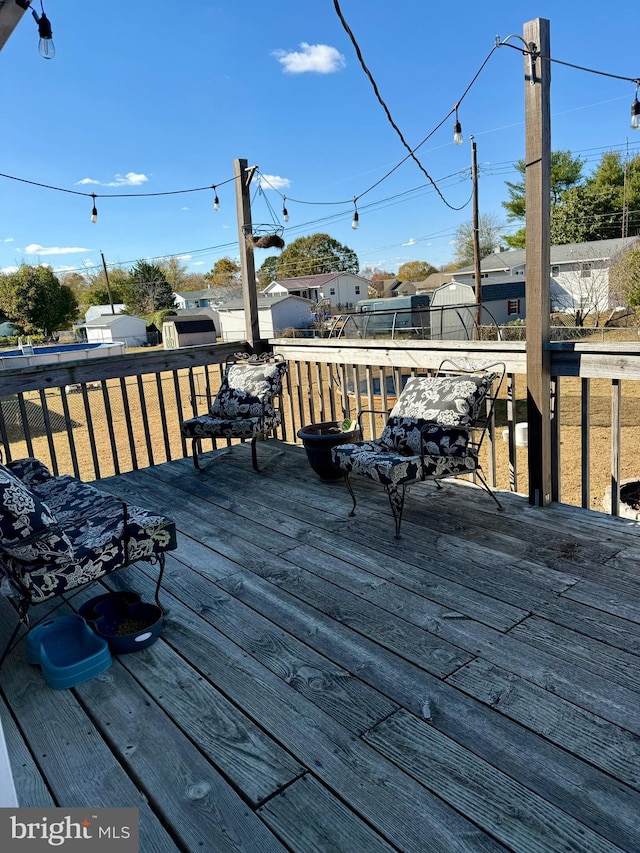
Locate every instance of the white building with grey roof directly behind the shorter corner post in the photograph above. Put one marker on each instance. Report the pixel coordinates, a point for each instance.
(275, 313)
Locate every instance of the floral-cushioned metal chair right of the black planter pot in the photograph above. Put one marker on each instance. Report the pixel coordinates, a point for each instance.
(435, 430)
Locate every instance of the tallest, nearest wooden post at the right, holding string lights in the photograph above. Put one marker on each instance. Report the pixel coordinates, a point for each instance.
(538, 204)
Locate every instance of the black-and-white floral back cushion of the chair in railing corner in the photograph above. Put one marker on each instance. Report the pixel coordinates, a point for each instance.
(248, 390)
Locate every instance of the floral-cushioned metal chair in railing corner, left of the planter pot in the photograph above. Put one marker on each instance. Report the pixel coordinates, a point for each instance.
(245, 407)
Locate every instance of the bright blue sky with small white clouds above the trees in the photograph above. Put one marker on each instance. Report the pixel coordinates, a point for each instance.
(154, 97)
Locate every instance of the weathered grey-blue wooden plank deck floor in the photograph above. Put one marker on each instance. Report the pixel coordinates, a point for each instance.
(320, 686)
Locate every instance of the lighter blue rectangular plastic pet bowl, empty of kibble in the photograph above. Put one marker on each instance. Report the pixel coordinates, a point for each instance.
(68, 651)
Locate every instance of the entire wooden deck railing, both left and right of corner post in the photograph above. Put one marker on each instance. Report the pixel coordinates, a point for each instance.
(107, 416)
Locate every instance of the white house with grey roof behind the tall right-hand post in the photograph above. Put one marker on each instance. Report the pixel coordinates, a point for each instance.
(579, 276)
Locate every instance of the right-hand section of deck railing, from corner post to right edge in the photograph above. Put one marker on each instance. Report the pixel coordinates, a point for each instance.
(595, 427)
